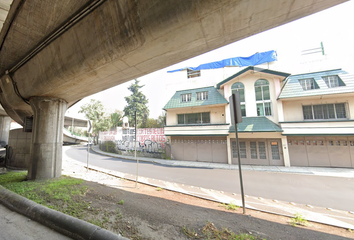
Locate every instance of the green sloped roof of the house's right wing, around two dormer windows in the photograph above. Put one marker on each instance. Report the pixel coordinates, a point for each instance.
(293, 88)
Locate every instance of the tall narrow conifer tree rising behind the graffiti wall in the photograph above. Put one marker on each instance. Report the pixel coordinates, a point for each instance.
(136, 102)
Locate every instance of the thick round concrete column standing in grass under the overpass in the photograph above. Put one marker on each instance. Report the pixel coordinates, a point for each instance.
(47, 137)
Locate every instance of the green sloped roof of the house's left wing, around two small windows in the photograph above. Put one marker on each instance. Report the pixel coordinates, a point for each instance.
(214, 97)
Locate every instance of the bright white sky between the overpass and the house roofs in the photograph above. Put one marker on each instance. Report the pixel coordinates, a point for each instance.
(331, 26)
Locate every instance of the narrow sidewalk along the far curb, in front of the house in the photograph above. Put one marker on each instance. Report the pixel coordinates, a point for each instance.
(319, 171)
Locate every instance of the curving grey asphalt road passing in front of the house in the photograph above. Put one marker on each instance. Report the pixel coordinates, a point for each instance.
(321, 191)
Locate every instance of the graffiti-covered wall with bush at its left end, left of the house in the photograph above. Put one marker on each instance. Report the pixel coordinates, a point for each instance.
(150, 142)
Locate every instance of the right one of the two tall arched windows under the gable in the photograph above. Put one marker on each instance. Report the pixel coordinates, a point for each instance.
(264, 105)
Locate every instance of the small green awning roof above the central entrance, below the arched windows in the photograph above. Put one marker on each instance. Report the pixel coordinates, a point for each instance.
(256, 124)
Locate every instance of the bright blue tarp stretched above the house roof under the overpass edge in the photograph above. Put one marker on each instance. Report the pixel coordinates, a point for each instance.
(253, 60)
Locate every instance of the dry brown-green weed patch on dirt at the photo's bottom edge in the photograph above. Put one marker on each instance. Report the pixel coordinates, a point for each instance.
(211, 232)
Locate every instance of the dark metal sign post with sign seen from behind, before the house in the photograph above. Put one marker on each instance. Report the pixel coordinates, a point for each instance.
(236, 117)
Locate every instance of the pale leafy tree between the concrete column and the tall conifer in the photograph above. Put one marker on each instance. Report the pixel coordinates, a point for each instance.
(95, 112)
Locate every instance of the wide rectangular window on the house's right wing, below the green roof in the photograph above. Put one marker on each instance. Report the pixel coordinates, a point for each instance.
(324, 111)
